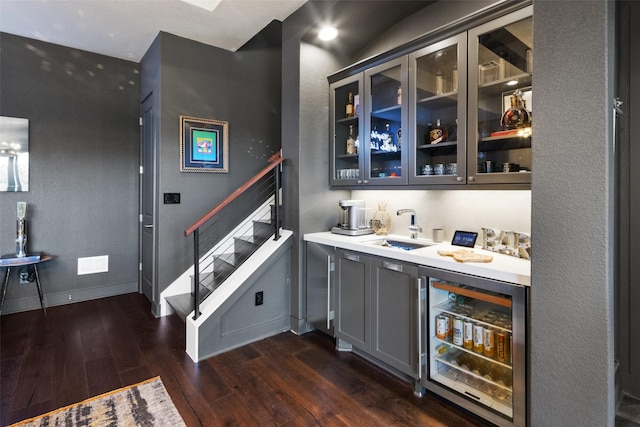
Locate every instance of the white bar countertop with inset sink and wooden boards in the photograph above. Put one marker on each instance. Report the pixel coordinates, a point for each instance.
(503, 267)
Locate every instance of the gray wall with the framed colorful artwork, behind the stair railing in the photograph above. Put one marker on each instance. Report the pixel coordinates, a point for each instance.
(203, 81)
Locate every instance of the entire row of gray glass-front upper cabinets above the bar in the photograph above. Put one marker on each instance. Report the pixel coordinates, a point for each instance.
(441, 108)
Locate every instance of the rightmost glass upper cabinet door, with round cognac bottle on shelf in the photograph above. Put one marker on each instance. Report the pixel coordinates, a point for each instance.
(500, 100)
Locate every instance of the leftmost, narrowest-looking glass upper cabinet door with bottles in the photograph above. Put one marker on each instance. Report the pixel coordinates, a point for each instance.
(346, 129)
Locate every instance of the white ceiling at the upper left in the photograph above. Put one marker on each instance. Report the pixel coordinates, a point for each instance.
(126, 28)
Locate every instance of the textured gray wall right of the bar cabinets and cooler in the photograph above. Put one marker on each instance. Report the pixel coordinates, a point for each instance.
(572, 273)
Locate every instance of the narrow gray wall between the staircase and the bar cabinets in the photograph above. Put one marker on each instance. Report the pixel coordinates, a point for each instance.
(310, 206)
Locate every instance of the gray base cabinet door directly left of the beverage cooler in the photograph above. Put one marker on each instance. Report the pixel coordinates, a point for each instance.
(394, 314)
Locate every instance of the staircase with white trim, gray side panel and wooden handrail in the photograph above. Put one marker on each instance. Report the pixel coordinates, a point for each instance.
(238, 289)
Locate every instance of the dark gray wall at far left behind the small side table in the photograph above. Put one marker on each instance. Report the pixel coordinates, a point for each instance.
(84, 143)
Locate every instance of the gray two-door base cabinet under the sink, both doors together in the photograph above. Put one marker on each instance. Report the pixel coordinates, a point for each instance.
(378, 309)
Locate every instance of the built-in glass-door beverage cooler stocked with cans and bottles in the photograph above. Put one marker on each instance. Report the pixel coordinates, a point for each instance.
(475, 344)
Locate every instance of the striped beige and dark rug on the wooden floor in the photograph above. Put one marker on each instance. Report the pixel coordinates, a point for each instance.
(146, 404)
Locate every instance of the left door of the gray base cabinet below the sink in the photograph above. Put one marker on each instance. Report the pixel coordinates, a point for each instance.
(353, 314)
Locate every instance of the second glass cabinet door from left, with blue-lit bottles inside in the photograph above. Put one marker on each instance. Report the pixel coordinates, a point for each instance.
(385, 145)
